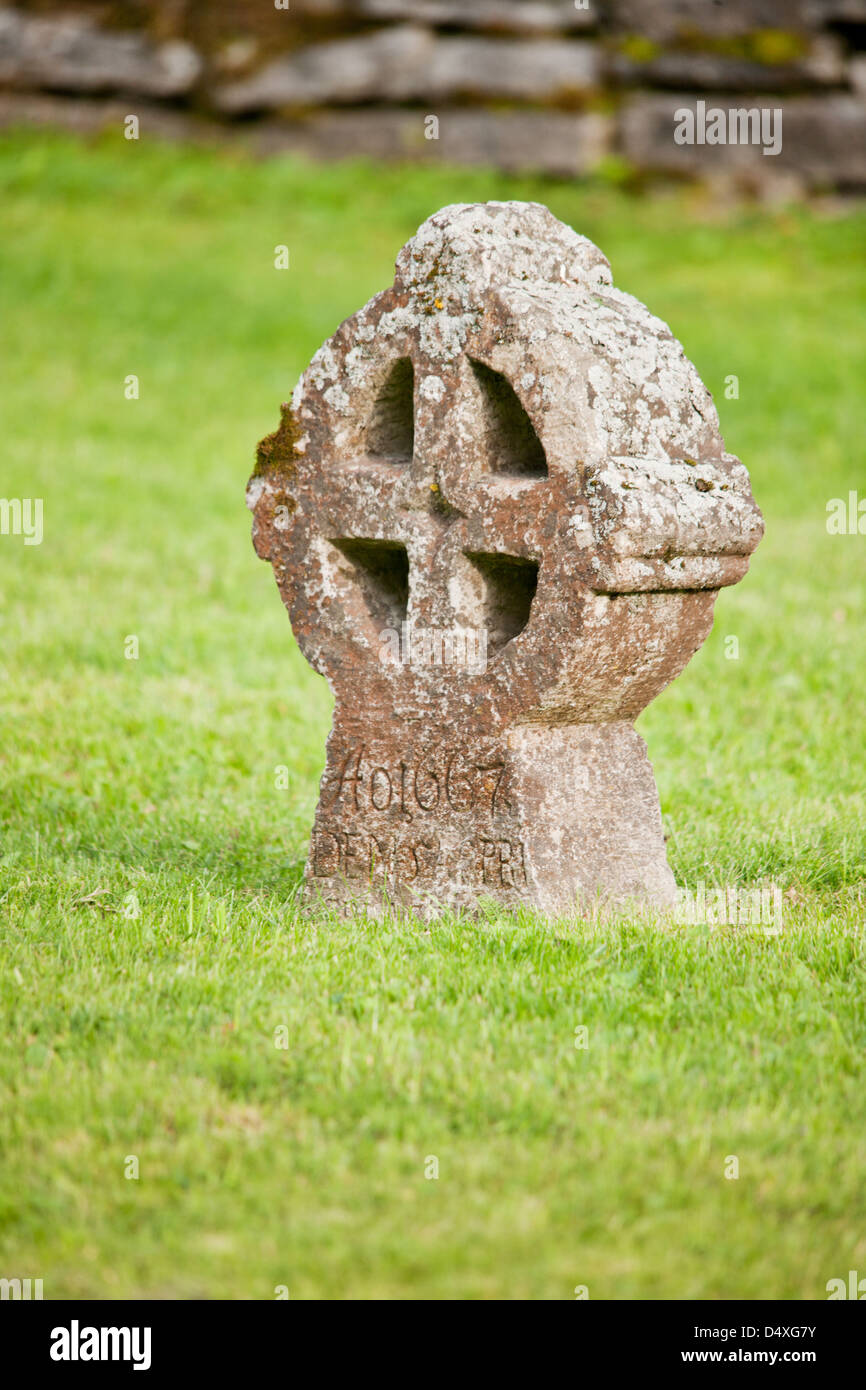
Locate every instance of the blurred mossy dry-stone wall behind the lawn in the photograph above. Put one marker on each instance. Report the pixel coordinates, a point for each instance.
(561, 87)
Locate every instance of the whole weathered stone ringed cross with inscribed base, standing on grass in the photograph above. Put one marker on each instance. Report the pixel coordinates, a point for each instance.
(500, 512)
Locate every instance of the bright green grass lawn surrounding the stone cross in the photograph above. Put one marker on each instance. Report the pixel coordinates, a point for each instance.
(148, 786)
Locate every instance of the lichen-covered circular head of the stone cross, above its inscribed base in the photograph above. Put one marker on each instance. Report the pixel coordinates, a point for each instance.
(501, 487)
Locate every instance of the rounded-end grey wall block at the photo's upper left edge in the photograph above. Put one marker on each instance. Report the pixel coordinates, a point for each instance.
(69, 54)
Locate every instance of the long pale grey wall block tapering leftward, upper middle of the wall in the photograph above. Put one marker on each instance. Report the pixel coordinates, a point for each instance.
(409, 63)
